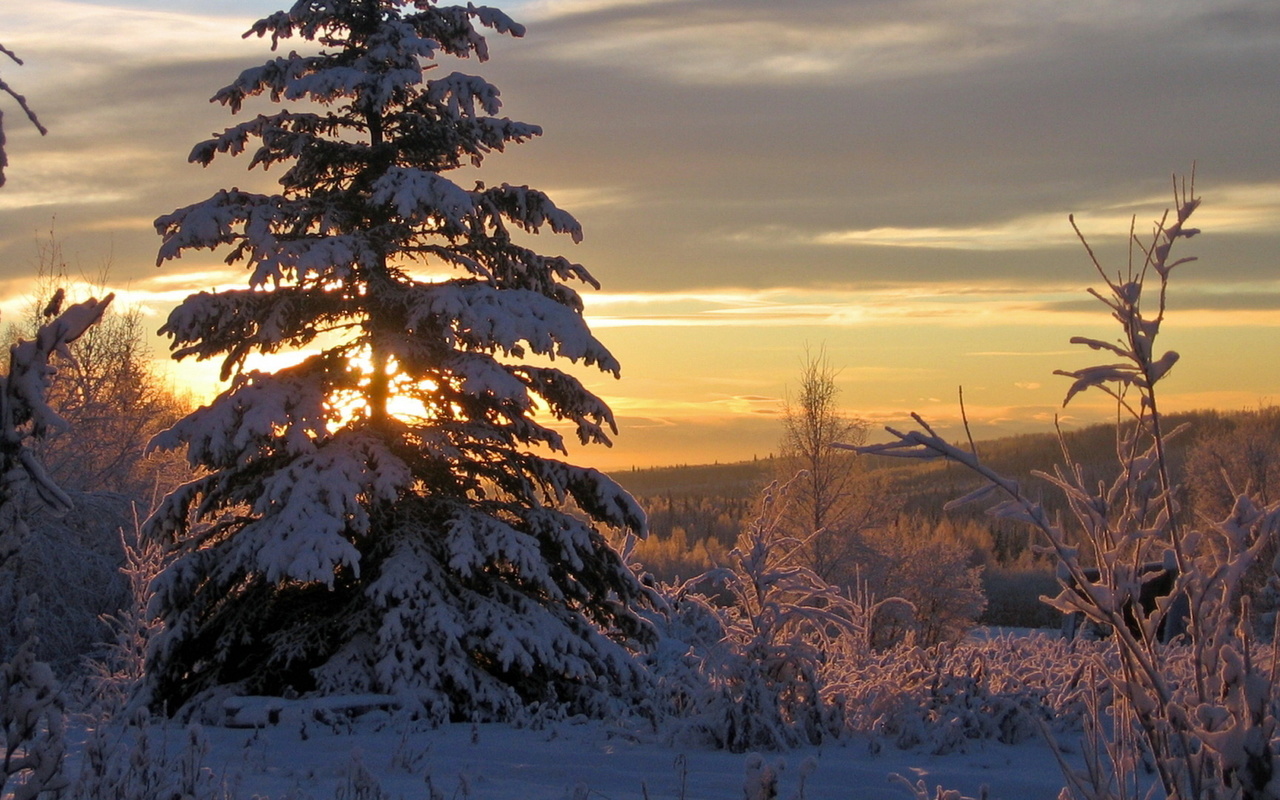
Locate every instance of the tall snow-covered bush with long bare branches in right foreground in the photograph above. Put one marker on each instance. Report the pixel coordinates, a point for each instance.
(1201, 710)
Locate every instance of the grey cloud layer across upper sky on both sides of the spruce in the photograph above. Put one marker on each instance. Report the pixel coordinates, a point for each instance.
(712, 143)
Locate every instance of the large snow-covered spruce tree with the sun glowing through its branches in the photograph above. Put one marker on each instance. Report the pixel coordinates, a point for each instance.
(340, 545)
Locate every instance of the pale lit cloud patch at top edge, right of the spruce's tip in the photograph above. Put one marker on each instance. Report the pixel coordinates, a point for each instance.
(815, 42)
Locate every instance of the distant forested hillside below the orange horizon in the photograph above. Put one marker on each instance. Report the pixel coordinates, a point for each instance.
(697, 513)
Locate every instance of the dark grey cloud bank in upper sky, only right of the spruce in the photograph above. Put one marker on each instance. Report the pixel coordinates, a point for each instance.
(1052, 116)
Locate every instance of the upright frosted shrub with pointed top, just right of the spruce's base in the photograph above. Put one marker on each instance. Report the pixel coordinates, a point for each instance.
(764, 637)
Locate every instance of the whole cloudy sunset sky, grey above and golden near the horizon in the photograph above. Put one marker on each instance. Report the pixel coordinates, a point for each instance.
(884, 181)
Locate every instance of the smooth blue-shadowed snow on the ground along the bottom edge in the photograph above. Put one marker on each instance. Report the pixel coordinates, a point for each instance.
(574, 761)
